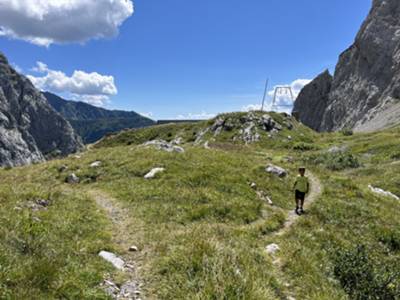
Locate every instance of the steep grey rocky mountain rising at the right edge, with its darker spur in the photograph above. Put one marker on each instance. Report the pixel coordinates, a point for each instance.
(364, 92)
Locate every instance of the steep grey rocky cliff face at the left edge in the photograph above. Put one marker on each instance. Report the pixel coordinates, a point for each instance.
(30, 129)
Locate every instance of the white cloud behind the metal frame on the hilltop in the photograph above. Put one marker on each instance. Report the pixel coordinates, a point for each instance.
(284, 100)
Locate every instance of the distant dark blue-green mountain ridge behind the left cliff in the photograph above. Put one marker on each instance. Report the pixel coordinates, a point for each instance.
(91, 122)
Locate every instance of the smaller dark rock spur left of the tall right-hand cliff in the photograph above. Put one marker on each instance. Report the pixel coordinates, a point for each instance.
(313, 99)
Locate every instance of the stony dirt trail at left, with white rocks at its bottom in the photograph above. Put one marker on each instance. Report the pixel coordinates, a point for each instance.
(123, 231)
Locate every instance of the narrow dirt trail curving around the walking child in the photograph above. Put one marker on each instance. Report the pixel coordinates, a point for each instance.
(315, 193)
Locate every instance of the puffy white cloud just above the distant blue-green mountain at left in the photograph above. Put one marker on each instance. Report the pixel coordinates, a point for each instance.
(92, 88)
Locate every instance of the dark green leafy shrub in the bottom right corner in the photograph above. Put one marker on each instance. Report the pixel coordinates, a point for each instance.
(361, 278)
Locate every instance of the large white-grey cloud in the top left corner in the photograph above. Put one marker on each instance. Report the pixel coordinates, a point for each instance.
(44, 22)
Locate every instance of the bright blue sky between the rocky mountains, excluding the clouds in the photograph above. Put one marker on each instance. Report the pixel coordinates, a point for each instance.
(189, 58)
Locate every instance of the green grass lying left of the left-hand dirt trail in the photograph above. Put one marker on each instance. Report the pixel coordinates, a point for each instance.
(49, 254)
